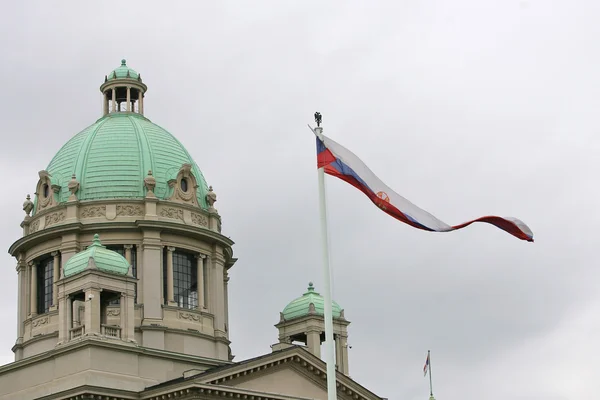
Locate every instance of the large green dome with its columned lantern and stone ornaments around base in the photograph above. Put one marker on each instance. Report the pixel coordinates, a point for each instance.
(122, 155)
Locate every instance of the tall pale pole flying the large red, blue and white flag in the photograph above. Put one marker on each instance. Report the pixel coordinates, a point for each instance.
(329, 345)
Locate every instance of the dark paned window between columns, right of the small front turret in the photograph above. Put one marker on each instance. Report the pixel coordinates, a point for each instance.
(185, 279)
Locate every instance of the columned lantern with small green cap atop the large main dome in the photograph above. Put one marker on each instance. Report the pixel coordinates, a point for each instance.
(123, 91)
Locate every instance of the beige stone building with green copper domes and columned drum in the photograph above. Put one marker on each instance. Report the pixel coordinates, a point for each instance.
(123, 275)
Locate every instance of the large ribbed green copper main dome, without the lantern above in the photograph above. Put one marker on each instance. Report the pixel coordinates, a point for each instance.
(111, 158)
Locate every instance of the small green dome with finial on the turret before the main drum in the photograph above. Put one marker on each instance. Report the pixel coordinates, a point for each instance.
(104, 259)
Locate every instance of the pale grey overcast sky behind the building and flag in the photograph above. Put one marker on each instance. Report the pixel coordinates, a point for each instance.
(465, 107)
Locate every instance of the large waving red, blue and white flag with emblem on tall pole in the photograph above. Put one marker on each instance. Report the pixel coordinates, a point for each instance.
(343, 164)
